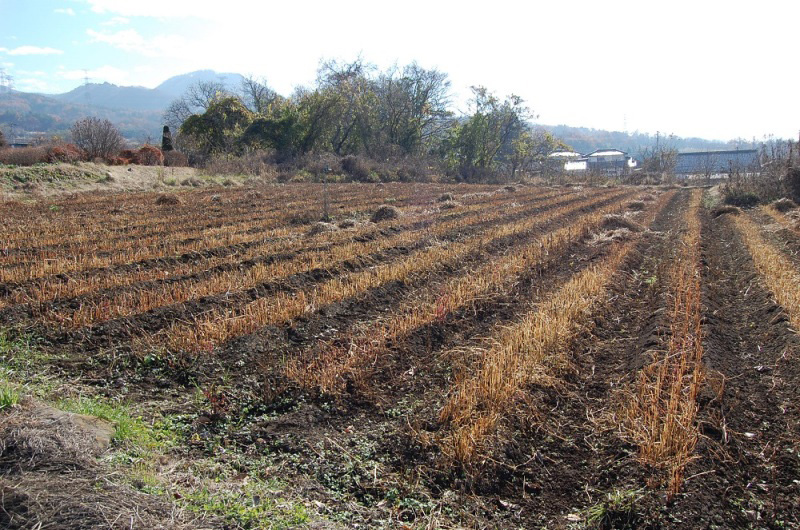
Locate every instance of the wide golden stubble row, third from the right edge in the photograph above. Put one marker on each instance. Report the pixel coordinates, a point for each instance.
(535, 349)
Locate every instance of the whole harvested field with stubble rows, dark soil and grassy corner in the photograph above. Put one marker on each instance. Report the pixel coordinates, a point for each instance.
(474, 357)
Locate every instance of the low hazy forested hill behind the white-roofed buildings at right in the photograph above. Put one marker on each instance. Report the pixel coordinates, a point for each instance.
(585, 140)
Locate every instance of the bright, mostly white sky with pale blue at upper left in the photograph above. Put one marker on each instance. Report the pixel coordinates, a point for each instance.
(705, 68)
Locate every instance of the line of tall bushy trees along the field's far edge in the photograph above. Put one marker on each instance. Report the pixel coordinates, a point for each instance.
(355, 110)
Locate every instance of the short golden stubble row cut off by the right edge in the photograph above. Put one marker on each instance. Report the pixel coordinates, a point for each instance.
(777, 271)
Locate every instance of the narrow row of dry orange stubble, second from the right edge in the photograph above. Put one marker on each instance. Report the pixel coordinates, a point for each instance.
(660, 416)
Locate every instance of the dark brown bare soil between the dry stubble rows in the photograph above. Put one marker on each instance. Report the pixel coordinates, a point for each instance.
(365, 456)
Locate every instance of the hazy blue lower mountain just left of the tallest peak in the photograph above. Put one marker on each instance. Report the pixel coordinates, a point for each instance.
(117, 97)
